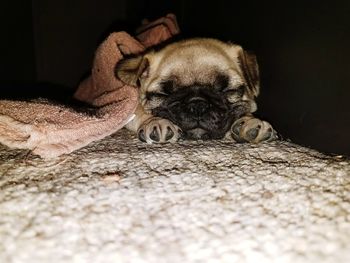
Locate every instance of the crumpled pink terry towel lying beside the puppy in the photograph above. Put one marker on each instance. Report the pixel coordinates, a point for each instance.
(50, 129)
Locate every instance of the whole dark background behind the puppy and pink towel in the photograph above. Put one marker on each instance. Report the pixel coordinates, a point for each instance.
(302, 48)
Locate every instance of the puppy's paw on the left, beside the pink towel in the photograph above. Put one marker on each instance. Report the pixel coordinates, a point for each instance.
(158, 130)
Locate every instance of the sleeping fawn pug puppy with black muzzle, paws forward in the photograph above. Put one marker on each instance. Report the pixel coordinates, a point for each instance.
(196, 89)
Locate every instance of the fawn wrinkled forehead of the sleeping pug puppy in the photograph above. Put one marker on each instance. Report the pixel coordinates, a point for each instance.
(196, 65)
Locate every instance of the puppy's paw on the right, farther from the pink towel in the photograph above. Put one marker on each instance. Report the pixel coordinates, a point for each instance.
(250, 129)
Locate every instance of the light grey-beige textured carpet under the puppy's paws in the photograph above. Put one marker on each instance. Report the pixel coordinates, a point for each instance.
(119, 200)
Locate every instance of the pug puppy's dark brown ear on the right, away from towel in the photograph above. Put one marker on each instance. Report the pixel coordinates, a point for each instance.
(250, 70)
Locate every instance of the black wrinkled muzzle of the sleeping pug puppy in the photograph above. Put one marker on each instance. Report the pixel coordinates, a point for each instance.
(201, 113)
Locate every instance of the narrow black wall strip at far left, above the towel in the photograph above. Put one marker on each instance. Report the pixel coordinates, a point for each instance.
(17, 63)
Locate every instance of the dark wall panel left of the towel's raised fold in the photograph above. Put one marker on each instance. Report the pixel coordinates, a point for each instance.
(67, 34)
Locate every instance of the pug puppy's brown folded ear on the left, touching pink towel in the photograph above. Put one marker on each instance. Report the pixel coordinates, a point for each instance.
(132, 70)
